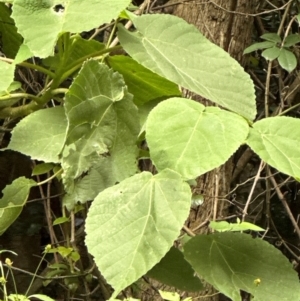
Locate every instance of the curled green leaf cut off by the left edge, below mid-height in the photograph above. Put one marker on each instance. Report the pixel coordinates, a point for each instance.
(14, 198)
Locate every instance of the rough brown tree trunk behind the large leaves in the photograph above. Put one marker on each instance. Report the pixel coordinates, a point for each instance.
(226, 24)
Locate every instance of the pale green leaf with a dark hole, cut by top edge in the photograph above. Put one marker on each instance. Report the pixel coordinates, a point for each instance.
(41, 39)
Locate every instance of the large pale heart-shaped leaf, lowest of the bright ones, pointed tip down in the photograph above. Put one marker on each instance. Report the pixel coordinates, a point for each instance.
(132, 225)
